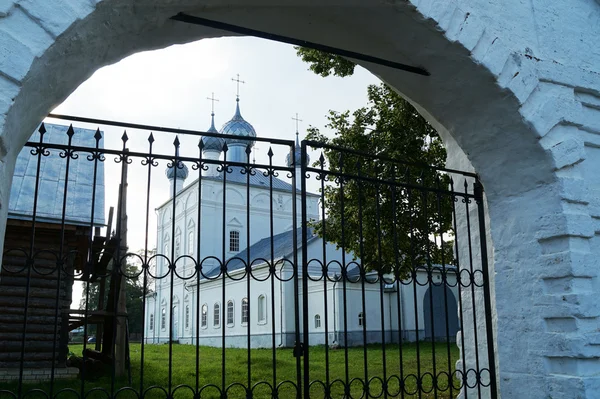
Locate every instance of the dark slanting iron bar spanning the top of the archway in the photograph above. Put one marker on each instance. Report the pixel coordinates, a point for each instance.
(190, 19)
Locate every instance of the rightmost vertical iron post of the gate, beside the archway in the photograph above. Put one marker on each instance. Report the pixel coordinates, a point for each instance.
(486, 287)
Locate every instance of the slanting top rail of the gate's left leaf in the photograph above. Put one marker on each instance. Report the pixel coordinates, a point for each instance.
(198, 133)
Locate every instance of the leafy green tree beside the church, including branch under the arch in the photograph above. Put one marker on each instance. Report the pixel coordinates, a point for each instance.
(392, 227)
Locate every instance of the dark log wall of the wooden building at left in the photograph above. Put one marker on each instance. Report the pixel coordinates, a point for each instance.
(36, 292)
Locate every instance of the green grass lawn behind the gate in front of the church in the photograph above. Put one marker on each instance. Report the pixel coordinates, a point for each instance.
(263, 375)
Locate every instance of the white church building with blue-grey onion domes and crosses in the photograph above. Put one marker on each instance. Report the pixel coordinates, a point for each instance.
(251, 219)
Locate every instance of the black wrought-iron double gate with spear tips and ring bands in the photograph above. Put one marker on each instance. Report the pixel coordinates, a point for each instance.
(263, 276)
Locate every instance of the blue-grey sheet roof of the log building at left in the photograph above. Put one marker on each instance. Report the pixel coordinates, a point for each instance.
(52, 181)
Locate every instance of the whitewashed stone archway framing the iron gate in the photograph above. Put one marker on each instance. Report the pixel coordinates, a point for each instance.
(514, 91)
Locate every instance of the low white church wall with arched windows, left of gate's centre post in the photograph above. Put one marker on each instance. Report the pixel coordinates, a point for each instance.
(211, 292)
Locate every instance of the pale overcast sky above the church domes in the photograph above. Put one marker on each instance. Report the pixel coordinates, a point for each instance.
(170, 87)
